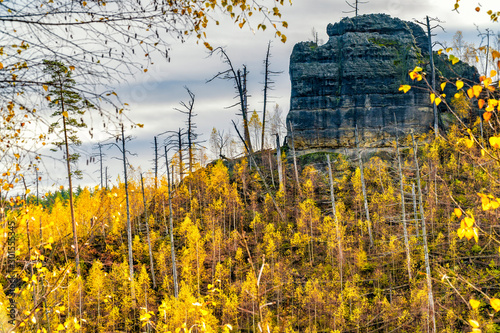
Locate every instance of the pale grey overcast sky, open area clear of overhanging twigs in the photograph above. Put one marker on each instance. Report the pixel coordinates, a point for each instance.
(154, 95)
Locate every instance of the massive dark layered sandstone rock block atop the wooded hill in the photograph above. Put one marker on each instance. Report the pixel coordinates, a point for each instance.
(353, 80)
